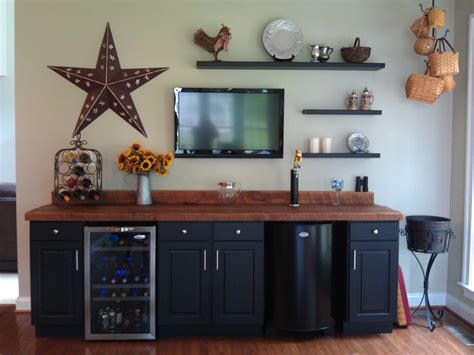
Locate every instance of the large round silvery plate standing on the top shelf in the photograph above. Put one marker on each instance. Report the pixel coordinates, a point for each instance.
(282, 39)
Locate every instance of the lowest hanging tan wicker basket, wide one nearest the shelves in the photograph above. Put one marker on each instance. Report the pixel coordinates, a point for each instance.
(424, 88)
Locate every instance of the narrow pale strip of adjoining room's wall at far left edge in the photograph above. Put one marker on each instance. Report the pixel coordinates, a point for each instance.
(7, 101)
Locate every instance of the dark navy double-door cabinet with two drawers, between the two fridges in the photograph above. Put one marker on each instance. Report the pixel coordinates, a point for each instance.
(211, 278)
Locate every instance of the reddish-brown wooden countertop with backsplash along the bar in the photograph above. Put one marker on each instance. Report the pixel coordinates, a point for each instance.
(205, 206)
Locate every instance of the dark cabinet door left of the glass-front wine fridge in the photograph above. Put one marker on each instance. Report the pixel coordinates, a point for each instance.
(57, 283)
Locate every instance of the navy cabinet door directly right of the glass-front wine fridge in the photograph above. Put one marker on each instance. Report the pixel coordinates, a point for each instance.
(183, 283)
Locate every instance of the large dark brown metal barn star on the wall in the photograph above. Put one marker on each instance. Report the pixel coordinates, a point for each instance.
(108, 86)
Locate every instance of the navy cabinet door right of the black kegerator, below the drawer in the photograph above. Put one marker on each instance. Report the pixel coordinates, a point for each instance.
(373, 281)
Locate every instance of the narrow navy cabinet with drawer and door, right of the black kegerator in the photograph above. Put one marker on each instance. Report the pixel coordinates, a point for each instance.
(372, 277)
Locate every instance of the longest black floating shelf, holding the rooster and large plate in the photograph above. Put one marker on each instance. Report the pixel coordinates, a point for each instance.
(289, 65)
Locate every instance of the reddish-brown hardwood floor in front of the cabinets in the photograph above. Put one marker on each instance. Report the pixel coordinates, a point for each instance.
(17, 337)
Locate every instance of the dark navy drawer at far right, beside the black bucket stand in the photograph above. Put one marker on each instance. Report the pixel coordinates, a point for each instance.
(369, 231)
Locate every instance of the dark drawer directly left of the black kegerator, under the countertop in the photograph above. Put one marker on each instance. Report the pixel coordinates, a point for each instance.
(238, 231)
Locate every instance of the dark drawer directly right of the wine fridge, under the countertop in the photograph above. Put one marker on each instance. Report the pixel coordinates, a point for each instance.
(184, 231)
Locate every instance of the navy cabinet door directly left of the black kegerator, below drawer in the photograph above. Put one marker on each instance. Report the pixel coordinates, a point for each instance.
(238, 283)
